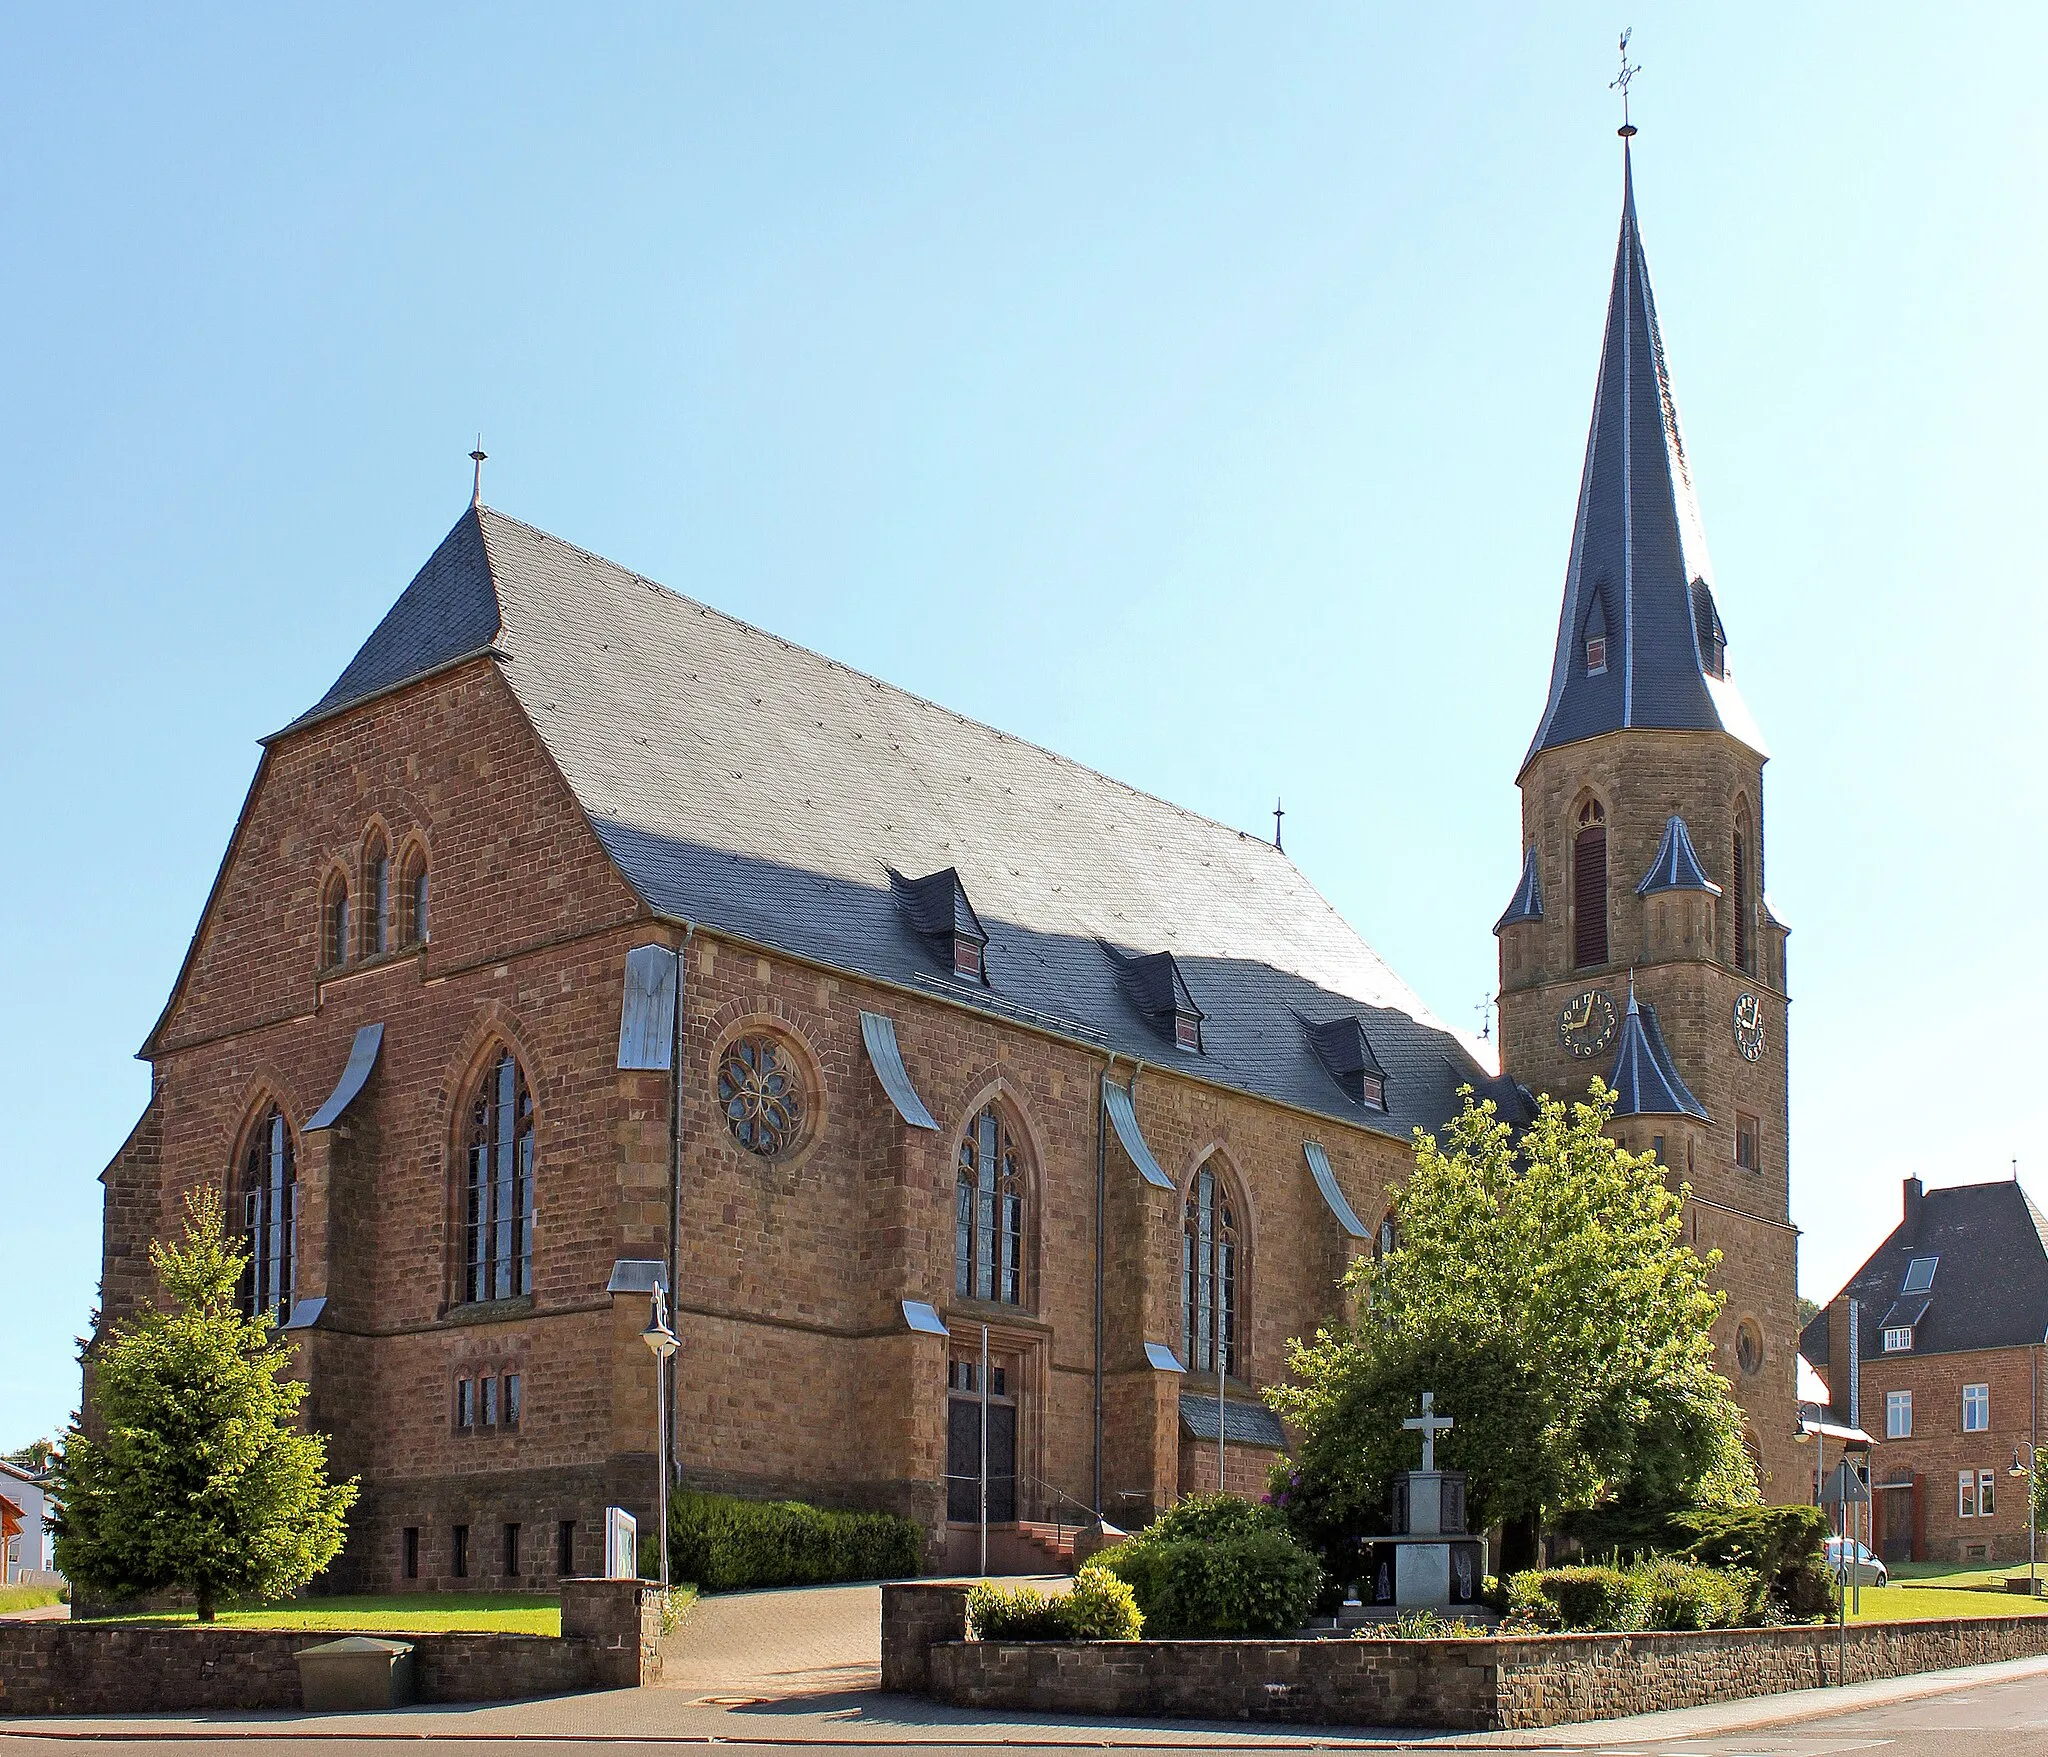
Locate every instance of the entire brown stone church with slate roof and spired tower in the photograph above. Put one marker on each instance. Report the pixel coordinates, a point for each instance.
(585, 941)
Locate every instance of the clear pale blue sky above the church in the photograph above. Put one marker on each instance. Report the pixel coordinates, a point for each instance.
(1195, 390)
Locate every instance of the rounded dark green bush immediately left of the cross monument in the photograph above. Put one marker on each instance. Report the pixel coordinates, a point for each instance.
(1218, 1566)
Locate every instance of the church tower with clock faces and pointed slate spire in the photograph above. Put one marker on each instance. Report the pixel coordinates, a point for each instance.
(1637, 945)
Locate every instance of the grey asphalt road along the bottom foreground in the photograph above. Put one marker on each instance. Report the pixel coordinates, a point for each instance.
(2008, 1717)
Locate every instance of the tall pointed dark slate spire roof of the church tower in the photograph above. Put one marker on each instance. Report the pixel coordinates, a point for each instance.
(1639, 572)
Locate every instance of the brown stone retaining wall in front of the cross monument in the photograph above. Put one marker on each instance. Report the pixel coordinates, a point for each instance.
(1482, 1684)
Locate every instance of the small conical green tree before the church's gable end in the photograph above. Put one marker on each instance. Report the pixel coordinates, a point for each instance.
(202, 1477)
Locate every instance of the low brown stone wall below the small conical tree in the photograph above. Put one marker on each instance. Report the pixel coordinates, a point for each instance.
(611, 1639)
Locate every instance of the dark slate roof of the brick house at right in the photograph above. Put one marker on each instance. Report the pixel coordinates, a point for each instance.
(1992, 1285)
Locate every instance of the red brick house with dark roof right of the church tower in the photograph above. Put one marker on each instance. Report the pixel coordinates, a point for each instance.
(1934, 1348)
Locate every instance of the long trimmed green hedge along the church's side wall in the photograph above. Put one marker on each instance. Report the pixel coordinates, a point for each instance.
(724, 1545)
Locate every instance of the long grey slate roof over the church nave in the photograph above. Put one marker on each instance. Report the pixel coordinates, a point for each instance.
(759, 789)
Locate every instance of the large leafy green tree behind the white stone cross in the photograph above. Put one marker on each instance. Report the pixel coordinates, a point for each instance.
(1541, 1287)
